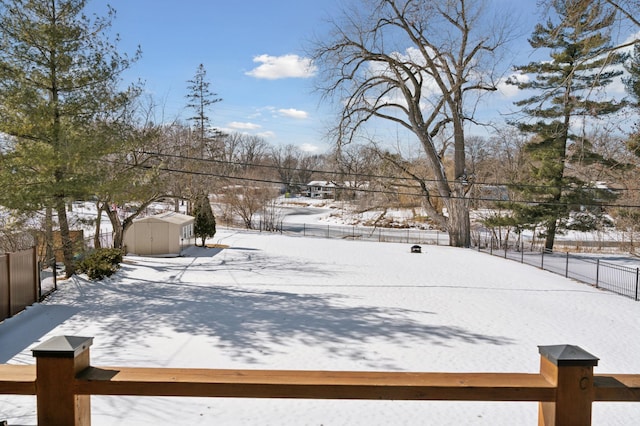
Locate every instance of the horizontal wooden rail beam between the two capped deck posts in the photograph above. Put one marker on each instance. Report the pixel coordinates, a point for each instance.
(315, 384)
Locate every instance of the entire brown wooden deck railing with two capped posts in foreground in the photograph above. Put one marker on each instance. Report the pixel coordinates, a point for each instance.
(63, 381)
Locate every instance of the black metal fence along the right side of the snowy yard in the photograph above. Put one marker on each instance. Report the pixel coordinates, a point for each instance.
(615, 277)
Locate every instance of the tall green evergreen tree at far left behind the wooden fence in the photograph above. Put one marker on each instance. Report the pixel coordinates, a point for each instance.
(59, 78)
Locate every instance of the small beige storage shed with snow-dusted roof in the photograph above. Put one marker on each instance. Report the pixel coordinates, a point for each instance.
(164, 234)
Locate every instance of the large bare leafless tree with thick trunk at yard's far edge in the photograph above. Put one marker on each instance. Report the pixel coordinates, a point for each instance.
(415, 64)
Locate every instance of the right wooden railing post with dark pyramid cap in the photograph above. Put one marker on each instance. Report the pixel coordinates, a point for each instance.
(570, 369)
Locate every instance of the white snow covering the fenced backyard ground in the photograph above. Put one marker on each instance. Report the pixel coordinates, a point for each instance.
(272, 301)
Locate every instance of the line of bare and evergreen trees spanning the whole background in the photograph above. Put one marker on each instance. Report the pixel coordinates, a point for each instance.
(563, 161)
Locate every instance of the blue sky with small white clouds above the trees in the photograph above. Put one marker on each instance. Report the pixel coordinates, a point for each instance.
(254, 55)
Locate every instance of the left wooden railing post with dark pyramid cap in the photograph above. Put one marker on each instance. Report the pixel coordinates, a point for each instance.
(58, 360)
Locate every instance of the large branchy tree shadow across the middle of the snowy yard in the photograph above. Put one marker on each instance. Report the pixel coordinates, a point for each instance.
(251, 323)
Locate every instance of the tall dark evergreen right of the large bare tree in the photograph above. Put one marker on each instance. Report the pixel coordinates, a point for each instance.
(581, 64)
